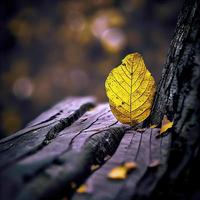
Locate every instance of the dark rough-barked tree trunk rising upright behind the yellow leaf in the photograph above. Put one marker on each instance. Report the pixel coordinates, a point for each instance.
(178, 97)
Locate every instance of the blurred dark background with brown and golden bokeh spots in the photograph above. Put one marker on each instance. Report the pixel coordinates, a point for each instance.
(52, 49)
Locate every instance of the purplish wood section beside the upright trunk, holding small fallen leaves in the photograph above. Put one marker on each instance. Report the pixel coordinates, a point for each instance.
(143, 148)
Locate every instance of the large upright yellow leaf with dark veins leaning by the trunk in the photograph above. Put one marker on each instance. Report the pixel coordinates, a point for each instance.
(130, 88)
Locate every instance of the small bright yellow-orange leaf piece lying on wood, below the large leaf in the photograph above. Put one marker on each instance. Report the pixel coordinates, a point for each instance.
(119, 172)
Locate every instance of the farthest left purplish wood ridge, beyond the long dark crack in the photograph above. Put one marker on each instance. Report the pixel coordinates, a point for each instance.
(33, 137)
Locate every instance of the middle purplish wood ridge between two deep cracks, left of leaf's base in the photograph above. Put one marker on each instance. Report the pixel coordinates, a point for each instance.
(78, 145)
